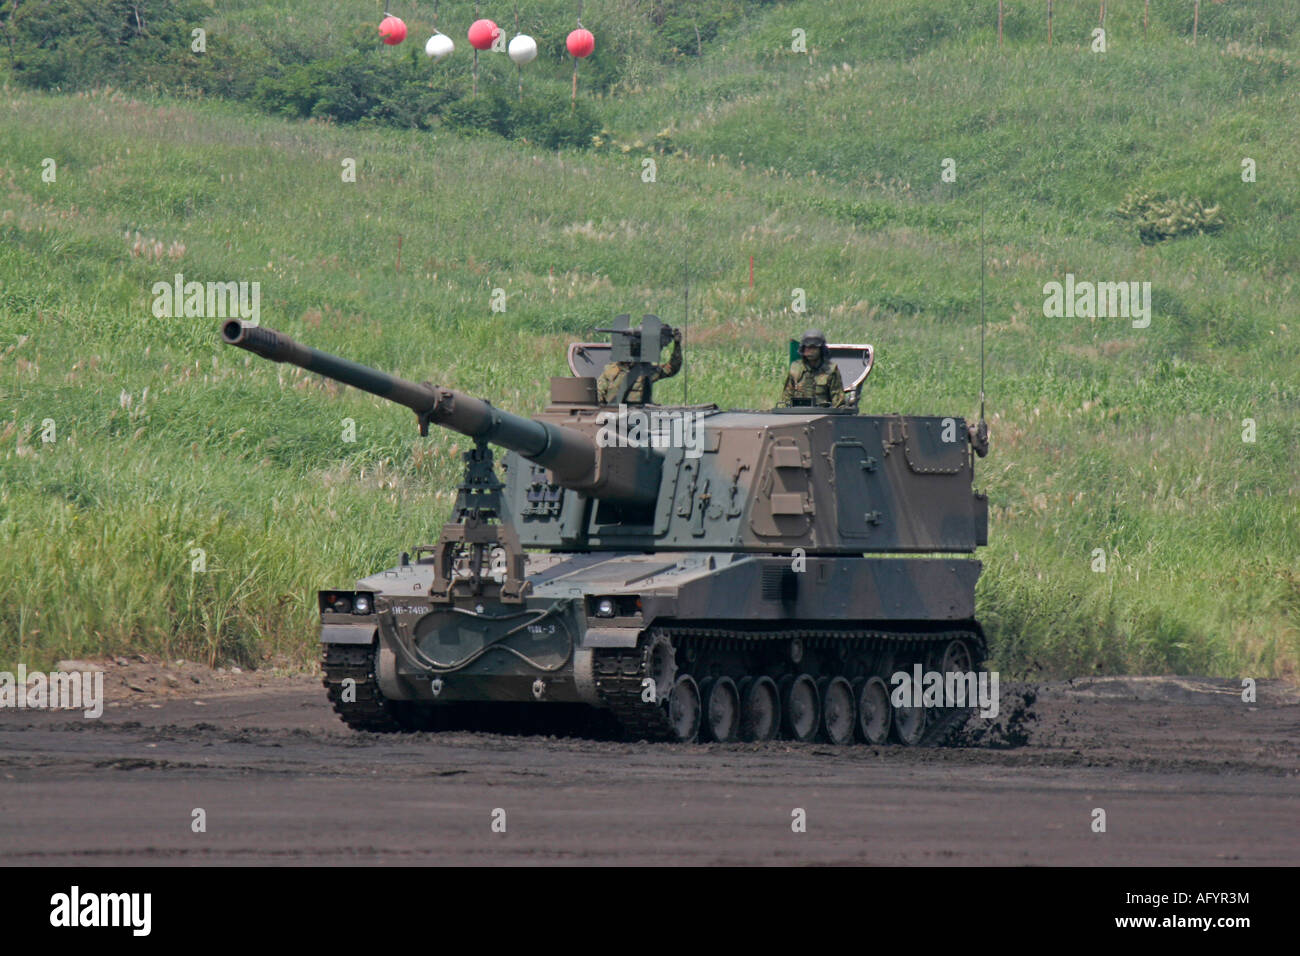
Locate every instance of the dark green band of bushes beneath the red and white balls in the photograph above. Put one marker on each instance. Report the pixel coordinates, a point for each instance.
(71, 45)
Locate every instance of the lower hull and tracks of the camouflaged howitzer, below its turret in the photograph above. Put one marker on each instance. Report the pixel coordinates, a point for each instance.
(742, 646)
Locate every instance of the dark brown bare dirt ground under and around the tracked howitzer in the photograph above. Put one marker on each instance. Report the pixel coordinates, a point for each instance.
(1184, 769)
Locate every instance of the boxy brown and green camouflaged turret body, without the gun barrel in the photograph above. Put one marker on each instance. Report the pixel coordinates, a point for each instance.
(829, 485)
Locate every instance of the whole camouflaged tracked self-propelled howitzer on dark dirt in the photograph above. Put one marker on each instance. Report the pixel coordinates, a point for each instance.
(691, 572)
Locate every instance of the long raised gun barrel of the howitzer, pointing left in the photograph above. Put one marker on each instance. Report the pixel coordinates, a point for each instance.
(570, 455)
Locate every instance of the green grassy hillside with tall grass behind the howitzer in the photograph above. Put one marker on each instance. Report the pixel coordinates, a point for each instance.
(824, 167)
